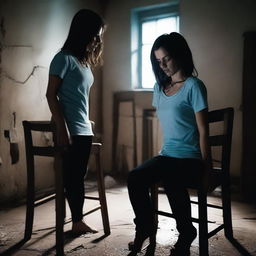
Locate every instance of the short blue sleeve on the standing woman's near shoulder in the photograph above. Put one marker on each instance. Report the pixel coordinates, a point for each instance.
(59, 65)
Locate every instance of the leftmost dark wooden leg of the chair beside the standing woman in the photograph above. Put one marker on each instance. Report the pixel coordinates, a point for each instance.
(30, 198)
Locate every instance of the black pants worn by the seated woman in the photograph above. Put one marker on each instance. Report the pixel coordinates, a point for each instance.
(174, 173)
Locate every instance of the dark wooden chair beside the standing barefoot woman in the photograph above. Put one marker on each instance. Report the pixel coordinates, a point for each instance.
(54, 151)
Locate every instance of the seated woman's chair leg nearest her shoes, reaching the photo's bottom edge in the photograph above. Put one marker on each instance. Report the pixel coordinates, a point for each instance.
(203, 225)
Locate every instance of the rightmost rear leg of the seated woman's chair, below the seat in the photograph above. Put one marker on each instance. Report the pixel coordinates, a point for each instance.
(227, 217)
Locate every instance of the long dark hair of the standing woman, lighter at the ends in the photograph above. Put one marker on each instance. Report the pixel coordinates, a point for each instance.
(85, 25)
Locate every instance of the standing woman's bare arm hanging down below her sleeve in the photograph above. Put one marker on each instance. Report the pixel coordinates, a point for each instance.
(54, 84)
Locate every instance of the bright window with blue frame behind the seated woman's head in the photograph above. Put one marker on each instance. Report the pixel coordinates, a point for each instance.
(147, 24)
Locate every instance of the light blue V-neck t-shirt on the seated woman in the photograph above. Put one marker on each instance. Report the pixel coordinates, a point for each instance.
(176, 114)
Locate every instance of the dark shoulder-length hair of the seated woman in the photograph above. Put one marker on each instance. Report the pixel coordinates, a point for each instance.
(178, 49)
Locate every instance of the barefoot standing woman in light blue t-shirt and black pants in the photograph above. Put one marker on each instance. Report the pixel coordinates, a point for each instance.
(70, 79)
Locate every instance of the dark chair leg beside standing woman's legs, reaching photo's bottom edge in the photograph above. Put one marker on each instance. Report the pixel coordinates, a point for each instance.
(59, 206)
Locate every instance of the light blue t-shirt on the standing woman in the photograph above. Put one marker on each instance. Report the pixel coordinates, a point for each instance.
(74, 91)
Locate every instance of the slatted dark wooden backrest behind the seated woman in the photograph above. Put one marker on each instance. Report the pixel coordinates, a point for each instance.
(224, 139)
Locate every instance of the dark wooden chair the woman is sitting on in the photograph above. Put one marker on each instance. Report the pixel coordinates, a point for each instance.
(220, 176)
